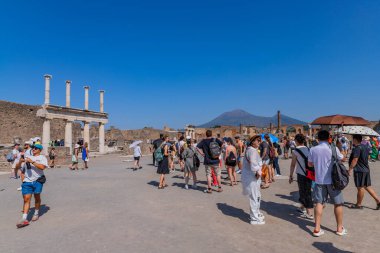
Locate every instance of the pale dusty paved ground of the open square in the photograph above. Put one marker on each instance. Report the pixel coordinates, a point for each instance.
(109, 208)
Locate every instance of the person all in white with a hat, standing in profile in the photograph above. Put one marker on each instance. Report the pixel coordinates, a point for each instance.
(251, 180)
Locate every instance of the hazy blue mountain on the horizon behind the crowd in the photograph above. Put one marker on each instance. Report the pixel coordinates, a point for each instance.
(237, 117)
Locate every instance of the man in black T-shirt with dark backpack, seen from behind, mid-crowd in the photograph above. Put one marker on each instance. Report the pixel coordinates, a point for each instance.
(210, 149)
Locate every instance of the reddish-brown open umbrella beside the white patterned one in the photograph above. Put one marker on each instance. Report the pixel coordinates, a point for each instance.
(340, 120)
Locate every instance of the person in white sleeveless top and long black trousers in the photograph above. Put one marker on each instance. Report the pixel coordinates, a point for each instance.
(299, 161)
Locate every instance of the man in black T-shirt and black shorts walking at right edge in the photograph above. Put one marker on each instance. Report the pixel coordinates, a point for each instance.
(362, 176)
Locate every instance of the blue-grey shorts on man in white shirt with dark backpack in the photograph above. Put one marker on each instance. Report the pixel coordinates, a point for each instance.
(323, 191)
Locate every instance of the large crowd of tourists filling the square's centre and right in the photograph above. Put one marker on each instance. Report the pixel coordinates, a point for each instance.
(318, 164)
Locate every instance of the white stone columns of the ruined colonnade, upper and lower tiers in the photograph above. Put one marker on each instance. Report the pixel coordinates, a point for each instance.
(69, 123)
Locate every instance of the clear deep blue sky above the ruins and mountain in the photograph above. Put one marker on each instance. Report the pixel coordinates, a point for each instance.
(178, 62)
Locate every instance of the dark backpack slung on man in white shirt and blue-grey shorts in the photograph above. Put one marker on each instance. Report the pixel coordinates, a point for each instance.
(339, 173)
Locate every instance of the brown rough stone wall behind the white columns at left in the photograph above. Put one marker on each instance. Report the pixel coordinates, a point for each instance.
(20, 121)
